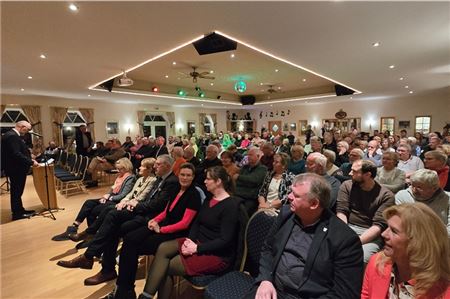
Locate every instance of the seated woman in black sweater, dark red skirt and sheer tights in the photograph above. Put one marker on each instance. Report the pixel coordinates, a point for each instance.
(210, 247)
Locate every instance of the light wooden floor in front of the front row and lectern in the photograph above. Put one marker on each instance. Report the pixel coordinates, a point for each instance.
(28, 255)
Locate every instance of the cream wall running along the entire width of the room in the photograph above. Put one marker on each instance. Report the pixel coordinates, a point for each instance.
(436, 104)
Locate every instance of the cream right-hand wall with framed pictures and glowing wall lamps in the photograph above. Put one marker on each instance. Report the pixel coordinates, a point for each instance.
(402, 109)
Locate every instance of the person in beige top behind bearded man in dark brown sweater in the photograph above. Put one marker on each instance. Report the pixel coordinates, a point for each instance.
(389, 175)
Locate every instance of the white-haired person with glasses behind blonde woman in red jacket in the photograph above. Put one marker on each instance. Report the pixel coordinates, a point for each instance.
(425, 188)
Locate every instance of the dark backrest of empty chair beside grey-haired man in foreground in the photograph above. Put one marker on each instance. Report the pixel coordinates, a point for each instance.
(257, 229)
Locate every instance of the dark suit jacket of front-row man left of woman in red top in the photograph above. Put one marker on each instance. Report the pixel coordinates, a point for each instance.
(158, 196)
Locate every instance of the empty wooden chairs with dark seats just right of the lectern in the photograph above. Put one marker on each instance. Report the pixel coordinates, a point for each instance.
(70, 172)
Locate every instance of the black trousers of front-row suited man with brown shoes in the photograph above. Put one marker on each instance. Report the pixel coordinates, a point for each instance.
(106, 239)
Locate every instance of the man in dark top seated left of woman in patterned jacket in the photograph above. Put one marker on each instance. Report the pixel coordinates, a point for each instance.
(249, 181)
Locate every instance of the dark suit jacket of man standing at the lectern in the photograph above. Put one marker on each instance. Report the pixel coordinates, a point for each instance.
(16, 158)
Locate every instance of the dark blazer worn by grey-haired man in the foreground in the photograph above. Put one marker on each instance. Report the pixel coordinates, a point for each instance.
(334, 265)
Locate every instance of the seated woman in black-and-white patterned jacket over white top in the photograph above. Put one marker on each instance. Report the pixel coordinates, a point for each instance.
(276, 185)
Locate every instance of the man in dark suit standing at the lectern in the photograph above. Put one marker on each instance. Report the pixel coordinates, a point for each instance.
(16, 160)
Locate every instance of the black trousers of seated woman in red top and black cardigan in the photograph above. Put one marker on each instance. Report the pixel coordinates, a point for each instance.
(140, 241)
